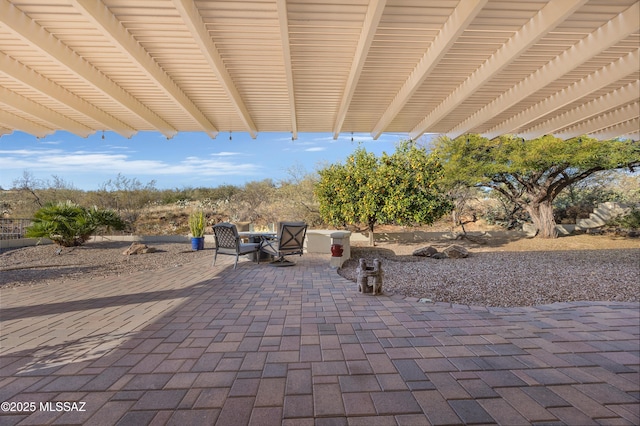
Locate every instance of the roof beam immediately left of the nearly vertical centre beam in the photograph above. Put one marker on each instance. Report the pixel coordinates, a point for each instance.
(194, 23)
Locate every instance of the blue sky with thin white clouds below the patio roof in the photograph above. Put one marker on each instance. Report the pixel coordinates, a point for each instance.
(187, 160)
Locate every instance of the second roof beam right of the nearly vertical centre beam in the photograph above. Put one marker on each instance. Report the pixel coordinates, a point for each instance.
(455, 25)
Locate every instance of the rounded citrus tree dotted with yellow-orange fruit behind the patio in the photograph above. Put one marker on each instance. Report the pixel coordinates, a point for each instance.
(394, 189)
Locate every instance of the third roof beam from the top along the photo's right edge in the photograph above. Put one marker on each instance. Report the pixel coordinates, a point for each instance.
(615, 99)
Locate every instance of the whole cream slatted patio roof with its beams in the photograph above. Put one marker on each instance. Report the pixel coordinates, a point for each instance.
(562, 67)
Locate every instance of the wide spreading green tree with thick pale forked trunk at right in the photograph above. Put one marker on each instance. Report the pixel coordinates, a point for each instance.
(532, 173)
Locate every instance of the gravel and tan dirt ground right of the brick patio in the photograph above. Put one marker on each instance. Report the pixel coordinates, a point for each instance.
(506, 273)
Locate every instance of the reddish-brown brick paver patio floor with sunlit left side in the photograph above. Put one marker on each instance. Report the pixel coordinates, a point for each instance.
(196, 345)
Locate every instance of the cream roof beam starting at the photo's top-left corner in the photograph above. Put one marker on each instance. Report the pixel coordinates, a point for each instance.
(38, 38)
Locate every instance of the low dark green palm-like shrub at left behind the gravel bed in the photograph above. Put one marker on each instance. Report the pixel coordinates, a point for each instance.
(69, 224)
